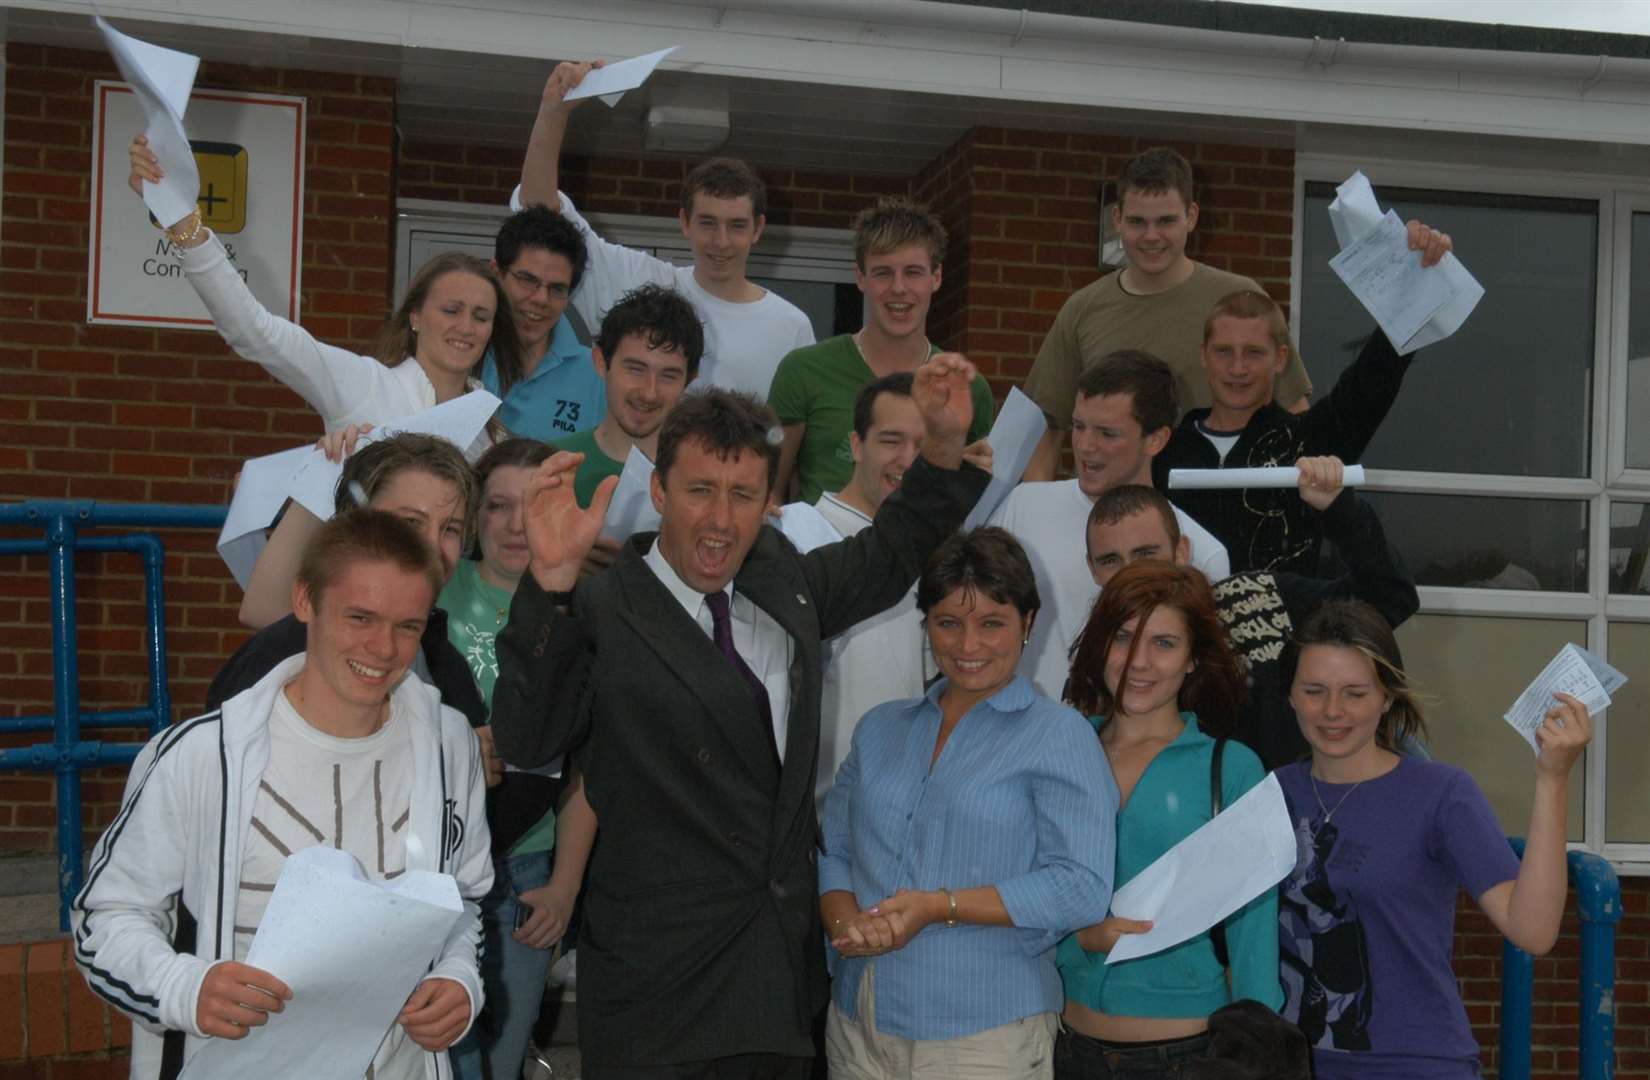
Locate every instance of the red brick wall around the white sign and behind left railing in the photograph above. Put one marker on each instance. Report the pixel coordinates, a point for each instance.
(151, 416)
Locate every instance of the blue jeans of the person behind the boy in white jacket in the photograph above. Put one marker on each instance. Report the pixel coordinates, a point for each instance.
(512, 977)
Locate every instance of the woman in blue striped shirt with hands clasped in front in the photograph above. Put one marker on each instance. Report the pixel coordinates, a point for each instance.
(964, 838)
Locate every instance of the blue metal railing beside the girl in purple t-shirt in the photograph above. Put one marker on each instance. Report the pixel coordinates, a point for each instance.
(1600, 899)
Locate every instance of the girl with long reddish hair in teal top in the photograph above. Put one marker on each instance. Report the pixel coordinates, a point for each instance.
(1159, 679)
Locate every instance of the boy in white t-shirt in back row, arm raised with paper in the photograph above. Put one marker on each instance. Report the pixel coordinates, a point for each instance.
(748, 329)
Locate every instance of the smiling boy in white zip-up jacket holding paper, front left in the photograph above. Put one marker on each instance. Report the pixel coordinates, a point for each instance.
(332, 748)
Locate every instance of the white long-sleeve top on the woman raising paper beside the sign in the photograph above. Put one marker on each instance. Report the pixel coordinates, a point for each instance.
(342, 387)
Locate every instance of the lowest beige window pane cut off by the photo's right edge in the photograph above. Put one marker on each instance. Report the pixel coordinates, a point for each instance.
(1626, 782)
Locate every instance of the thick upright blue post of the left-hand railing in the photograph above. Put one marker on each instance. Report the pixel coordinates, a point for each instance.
(67, 707)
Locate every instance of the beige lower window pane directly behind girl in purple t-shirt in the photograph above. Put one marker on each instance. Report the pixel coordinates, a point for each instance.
(1473, 669)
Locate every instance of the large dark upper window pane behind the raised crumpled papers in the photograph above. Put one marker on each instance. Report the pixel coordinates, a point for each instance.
(1511, 393)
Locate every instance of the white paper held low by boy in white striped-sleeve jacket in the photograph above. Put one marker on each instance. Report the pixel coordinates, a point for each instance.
(352, 951)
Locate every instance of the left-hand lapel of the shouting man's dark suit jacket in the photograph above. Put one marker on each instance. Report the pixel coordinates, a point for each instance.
(691, 655)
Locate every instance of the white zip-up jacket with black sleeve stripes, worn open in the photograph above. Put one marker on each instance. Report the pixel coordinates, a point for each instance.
(182, 832)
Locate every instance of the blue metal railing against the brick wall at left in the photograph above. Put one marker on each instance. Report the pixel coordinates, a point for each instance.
(68, 754)
